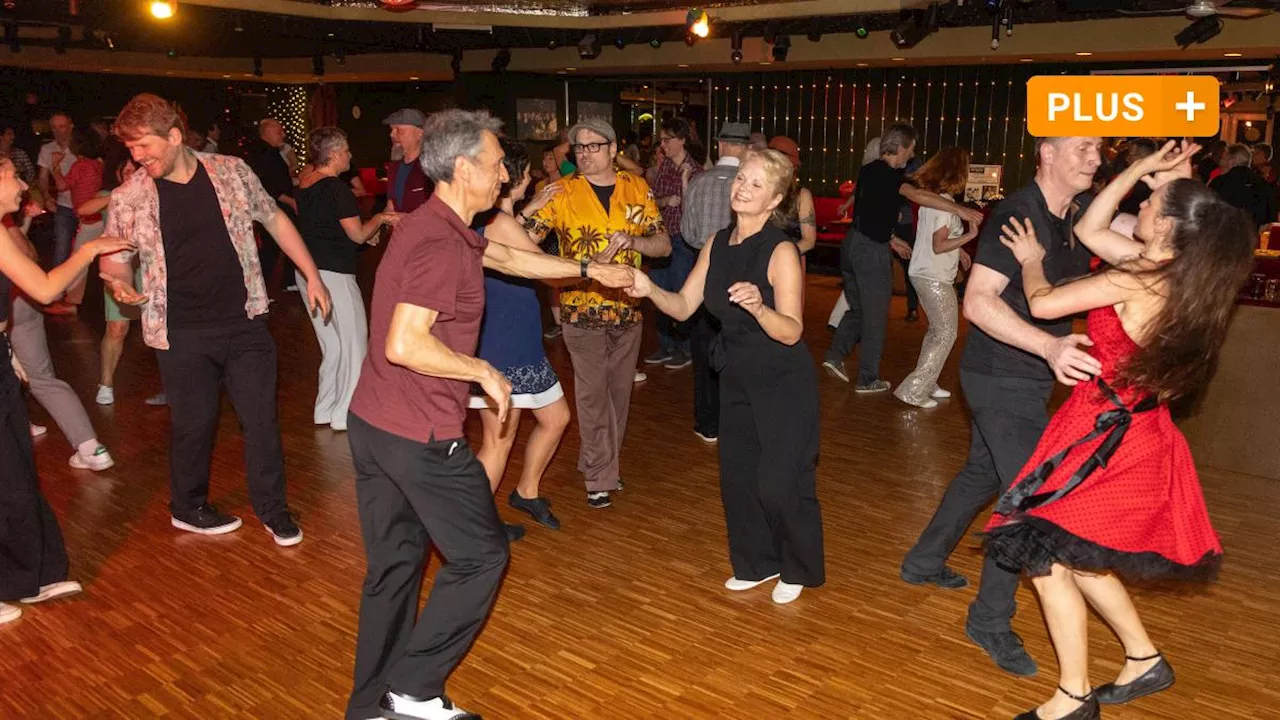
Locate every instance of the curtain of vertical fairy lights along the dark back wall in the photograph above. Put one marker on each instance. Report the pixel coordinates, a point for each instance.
(833, 116)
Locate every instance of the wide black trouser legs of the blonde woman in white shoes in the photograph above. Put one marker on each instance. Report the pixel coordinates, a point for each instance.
(769, 453)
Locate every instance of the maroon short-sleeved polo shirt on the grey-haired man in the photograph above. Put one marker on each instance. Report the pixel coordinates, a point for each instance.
(436, 262)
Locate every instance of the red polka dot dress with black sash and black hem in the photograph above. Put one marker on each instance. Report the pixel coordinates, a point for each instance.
(1112, 485)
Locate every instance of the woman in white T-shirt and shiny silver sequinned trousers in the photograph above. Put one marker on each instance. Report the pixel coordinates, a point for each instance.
(935, 261)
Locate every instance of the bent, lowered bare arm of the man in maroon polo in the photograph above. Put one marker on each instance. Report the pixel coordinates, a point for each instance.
(412, 345)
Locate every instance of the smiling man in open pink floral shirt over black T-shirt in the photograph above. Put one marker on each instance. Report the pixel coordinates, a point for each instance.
(191, 216)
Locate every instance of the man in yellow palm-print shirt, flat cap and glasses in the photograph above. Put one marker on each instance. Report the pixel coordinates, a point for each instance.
(601, 215)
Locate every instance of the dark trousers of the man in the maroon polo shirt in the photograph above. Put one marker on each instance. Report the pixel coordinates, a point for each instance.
(414, 495)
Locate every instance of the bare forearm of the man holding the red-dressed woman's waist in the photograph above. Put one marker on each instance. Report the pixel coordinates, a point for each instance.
(989, 312)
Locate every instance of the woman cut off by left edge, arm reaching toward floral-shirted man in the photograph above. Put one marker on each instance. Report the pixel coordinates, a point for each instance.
(34, 566)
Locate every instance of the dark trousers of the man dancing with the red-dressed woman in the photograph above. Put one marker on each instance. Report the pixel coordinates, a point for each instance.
(1009, 417)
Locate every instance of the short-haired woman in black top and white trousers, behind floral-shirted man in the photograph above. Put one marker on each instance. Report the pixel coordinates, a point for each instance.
(331, 226)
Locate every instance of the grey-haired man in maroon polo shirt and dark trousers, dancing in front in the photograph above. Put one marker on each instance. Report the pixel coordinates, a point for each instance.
(417, 480)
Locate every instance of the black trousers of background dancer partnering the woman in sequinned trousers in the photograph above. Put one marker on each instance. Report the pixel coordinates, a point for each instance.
(868, 290)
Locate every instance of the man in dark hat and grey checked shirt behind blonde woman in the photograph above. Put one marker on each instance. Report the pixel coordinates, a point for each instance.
(707, 212)
